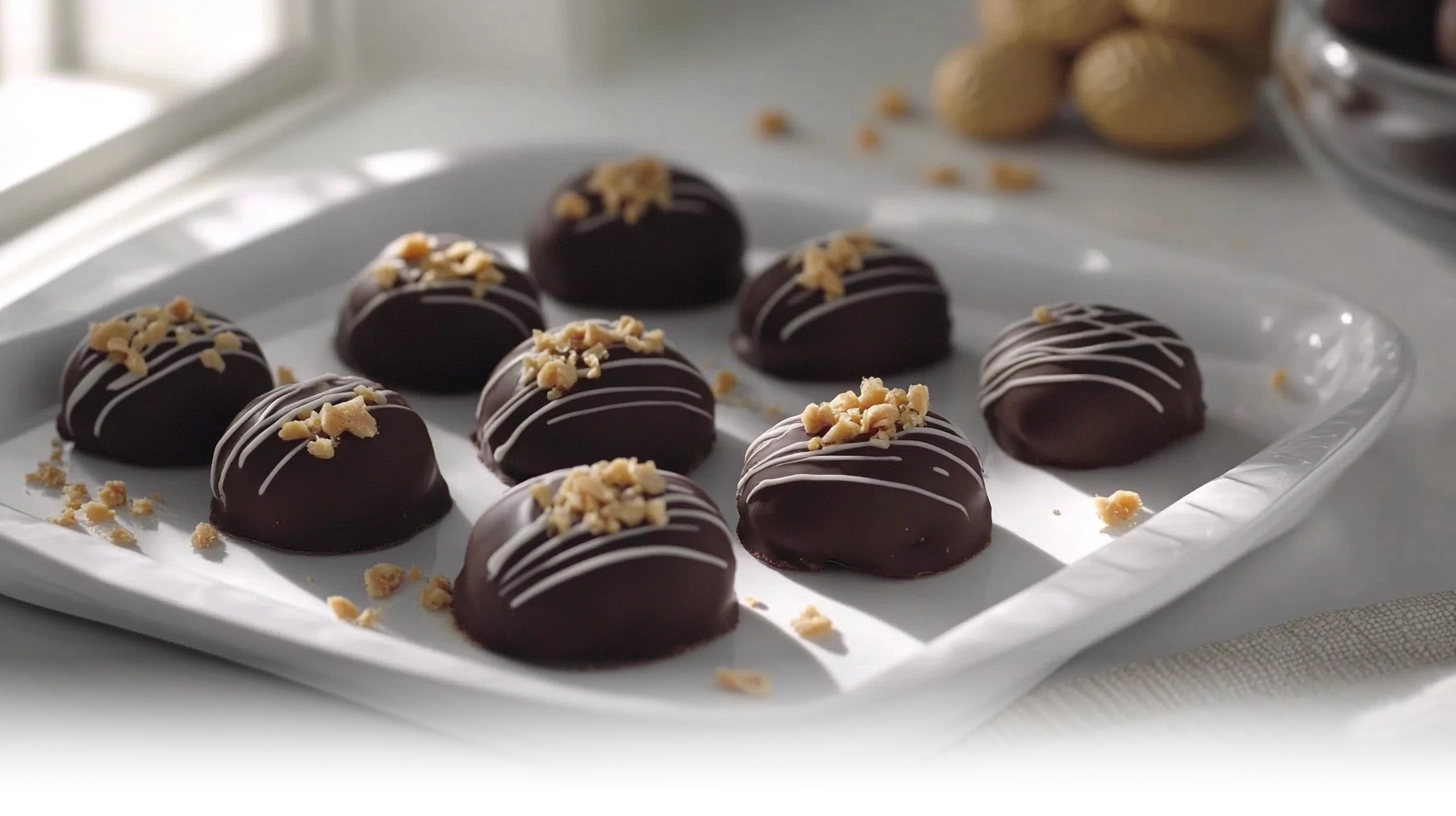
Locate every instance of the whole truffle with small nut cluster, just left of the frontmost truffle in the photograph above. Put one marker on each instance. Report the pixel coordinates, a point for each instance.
(327, 466)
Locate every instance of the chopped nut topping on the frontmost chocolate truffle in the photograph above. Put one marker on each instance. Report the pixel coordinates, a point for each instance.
(605, 498)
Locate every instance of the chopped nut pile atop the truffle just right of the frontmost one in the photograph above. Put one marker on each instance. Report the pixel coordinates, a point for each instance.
(876, 412)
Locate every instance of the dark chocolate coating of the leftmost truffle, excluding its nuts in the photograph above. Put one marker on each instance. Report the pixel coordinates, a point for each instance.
(175, 415)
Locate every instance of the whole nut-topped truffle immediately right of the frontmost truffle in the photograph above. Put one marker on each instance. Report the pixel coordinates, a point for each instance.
(873, 482)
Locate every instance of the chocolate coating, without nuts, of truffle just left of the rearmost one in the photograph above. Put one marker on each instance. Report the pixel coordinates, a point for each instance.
(413, 340)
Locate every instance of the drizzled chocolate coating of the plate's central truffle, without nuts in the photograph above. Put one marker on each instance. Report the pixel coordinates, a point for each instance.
(666, 416)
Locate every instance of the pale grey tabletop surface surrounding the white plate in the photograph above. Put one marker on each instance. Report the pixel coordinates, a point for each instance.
(87, 706)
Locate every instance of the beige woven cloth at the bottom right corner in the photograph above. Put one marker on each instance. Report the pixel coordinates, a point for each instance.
(1359, 703)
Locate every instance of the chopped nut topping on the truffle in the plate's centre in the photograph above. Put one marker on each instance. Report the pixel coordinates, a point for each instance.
(560, 355)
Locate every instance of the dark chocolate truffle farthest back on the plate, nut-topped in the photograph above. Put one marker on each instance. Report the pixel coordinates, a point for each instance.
(638, 235)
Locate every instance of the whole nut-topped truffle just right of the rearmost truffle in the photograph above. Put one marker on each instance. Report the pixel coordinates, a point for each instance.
(796, 320)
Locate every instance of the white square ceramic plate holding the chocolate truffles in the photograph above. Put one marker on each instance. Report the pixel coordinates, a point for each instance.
(917, 664)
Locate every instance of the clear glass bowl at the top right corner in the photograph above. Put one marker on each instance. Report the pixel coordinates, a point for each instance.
(1381, 129)
